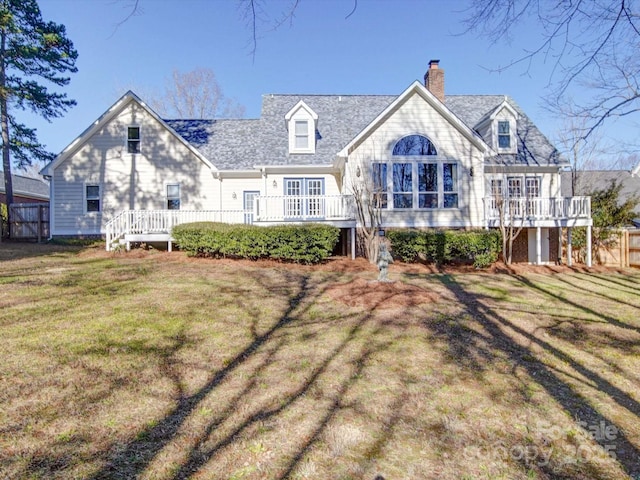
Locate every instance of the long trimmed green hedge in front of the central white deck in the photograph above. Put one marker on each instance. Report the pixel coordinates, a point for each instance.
(312, 243)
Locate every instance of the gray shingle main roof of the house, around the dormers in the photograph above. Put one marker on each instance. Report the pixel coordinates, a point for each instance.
(241, 144)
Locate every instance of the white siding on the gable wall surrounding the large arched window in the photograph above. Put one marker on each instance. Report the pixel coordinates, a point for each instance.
(416, 116)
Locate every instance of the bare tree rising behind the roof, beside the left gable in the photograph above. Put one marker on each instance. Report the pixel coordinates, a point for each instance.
(195, 95)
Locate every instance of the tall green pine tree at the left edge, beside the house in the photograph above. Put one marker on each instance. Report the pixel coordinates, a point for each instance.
(30, 49)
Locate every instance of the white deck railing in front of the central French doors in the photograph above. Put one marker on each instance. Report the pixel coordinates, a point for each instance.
(304, 208)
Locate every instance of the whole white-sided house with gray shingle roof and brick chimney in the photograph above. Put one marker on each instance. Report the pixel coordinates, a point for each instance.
(435, 161)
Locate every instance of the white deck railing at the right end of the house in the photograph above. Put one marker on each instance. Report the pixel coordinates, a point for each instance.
(537, 208)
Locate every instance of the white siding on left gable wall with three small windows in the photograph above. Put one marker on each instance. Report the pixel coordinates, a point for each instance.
(128, 181)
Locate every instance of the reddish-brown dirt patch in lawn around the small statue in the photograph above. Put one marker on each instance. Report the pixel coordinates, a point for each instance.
(379, 295)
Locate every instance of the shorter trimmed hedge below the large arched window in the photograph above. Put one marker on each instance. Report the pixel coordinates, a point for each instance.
(479, 247)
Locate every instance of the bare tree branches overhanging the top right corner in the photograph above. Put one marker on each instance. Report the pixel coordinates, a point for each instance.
(592, 45)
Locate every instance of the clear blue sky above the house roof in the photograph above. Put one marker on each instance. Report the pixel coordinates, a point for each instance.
(380, 49)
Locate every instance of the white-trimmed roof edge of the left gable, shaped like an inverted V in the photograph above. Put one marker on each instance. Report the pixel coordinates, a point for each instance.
(114, 110)
